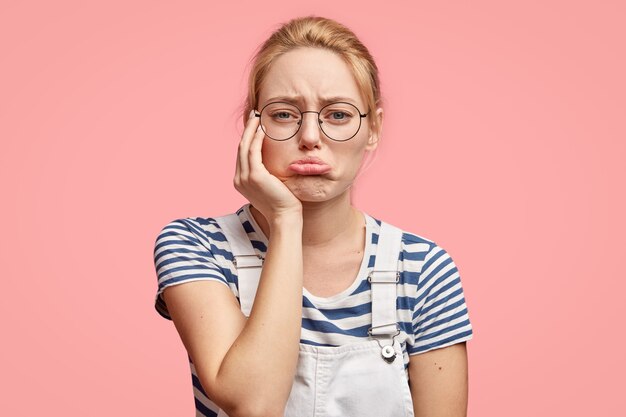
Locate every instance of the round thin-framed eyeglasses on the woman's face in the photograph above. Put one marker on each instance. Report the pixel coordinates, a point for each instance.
(339, 121)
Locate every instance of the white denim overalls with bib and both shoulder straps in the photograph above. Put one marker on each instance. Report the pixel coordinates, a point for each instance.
(364, 379)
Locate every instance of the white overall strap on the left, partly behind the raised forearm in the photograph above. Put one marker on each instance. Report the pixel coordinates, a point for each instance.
(247, 263)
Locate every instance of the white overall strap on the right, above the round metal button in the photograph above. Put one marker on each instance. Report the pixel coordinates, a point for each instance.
(383, 279)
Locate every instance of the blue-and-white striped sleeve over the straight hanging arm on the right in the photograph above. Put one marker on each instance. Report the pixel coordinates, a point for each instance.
(440, 316)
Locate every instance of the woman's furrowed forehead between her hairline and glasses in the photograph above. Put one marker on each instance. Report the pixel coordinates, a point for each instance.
(311, 77)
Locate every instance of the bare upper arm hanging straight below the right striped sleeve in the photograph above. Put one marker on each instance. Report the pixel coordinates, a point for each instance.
(439, 382)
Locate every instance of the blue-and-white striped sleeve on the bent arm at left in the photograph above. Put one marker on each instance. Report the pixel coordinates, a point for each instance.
(182, 254)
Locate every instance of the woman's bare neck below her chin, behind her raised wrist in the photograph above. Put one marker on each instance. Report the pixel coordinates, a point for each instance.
(324, 223)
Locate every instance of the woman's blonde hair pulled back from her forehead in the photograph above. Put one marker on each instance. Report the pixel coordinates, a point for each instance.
(317, 32)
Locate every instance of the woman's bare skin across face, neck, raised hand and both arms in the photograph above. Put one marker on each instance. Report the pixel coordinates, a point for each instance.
(308, 221)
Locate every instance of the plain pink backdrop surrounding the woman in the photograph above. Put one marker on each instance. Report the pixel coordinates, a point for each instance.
(504, 135)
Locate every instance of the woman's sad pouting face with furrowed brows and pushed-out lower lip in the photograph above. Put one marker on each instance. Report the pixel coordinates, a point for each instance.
(314, 167)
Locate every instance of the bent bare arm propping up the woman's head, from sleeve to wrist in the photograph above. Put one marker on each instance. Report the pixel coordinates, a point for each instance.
(246, 366)
